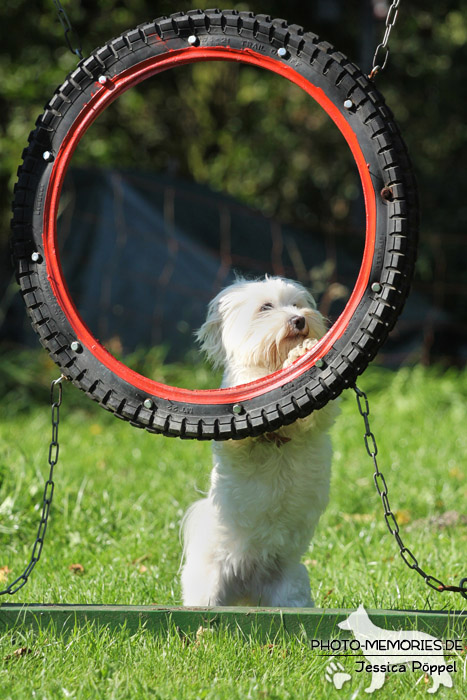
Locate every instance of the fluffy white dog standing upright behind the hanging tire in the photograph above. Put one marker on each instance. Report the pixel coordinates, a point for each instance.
(243, 543)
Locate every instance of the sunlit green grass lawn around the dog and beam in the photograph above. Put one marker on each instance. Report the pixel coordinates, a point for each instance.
(120, 494)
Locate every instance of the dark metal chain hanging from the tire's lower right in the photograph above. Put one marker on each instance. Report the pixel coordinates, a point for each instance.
(391, 522)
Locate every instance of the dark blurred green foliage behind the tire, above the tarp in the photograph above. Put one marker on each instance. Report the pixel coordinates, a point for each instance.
(242, 136)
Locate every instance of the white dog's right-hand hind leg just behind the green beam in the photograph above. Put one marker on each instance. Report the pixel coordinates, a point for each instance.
(290, 589)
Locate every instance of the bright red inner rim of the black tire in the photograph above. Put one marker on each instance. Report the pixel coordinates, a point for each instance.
(100, 99)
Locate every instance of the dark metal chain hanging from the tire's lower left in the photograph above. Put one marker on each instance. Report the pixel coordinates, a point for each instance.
(48, 491)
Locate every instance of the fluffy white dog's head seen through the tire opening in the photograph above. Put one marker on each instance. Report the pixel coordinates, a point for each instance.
(256, 324)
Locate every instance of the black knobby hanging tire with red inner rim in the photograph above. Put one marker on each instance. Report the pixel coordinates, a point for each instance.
(359, 111)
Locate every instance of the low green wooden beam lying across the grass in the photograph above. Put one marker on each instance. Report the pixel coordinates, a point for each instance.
(315, 623)
